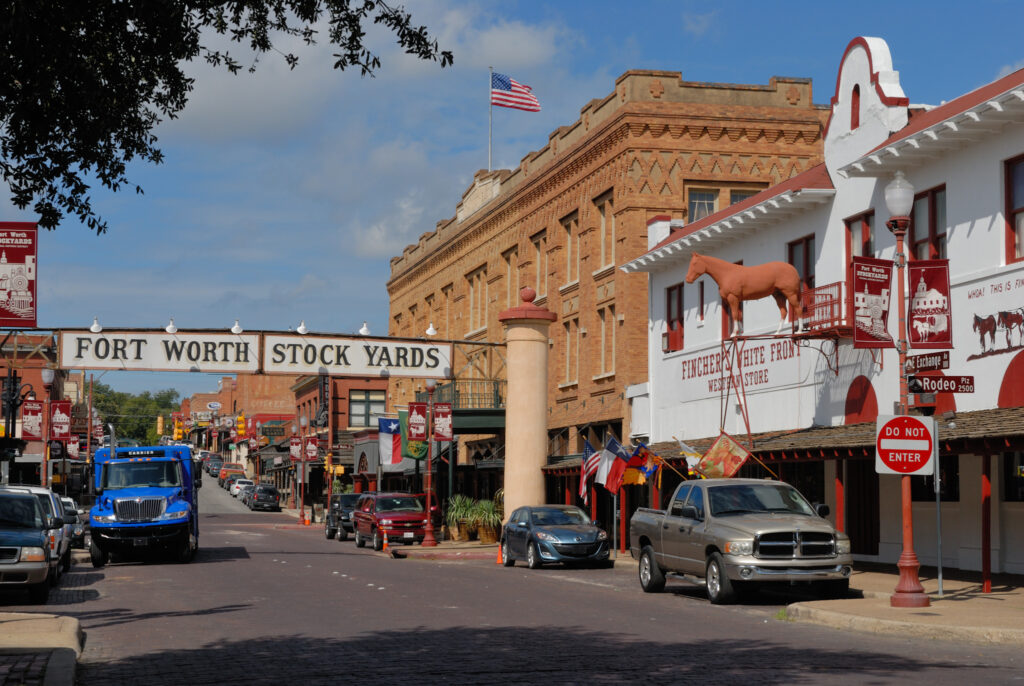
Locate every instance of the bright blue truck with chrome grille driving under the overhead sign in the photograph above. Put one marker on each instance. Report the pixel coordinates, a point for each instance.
(147, 501)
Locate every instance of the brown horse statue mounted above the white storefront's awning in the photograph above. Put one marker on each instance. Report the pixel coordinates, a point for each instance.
(738, 283)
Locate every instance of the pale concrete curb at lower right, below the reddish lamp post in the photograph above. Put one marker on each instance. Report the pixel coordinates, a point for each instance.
(948, 632)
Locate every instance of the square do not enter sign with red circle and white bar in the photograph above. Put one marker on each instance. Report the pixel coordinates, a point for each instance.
(906, 445)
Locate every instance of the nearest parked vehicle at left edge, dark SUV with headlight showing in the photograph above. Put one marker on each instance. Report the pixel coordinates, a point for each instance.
(25, 549)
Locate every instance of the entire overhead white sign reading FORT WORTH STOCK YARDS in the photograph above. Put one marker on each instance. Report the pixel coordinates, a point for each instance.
(269, 354)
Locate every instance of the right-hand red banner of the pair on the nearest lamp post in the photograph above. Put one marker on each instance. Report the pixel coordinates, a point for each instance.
(929, 315)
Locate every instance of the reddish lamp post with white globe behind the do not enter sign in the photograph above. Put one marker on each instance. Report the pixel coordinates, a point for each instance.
(900, 201)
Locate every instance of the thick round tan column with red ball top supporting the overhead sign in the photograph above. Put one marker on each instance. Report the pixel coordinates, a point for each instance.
(527, 405)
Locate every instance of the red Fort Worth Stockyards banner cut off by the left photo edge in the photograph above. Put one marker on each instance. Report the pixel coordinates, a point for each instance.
(18, 274)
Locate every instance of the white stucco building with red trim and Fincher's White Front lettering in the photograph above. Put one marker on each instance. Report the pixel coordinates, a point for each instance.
(810, 402)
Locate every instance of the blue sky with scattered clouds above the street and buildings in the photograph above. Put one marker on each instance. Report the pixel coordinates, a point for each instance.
(285, 194)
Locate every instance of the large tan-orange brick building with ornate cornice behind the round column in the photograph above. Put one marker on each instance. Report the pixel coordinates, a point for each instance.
(568, 216)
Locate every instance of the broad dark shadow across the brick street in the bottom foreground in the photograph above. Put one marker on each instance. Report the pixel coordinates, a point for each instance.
(504, 656)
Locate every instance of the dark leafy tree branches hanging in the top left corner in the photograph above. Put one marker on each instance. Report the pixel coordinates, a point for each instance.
(86, 82)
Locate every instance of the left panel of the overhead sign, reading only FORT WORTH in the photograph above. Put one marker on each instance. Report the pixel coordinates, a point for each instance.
(160, 353)
